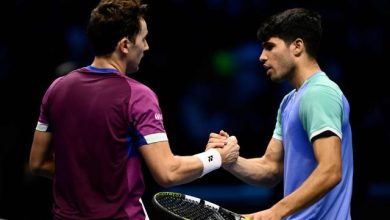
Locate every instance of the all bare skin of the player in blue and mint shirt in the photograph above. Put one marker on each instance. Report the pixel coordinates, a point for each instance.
(288, 62)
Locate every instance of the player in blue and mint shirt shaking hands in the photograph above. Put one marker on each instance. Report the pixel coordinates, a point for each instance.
(311, 147)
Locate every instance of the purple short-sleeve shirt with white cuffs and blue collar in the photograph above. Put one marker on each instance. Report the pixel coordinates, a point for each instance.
(98, 118)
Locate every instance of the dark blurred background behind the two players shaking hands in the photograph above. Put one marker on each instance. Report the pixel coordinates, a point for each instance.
(203, 64)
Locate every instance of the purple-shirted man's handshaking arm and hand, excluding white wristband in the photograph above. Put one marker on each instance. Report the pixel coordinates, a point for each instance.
(169, 170)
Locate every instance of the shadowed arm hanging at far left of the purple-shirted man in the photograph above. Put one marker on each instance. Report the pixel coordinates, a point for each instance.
(41, 156)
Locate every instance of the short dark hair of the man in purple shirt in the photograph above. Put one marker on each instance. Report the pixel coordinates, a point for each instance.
(112, 20)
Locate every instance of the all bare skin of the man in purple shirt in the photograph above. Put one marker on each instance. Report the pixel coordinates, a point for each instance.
(166, 168)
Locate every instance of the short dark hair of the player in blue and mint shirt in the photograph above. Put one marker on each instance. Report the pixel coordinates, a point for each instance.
(292, 24)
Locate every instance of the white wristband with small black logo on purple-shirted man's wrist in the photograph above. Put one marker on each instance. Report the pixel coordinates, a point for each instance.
(211, 160)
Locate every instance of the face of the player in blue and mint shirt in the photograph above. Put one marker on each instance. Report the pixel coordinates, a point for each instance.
(277, 59)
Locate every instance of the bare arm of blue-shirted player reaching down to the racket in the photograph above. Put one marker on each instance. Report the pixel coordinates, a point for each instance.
(325, 176)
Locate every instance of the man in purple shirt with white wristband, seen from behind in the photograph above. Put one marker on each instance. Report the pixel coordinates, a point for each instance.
(96, 125)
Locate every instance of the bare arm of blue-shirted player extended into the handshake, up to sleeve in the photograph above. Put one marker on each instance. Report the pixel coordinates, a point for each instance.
(263, 171)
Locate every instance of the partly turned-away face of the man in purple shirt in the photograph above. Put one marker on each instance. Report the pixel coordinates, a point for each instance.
(136, 49)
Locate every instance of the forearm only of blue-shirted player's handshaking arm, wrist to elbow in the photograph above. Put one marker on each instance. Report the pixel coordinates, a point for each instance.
(256, 171)
